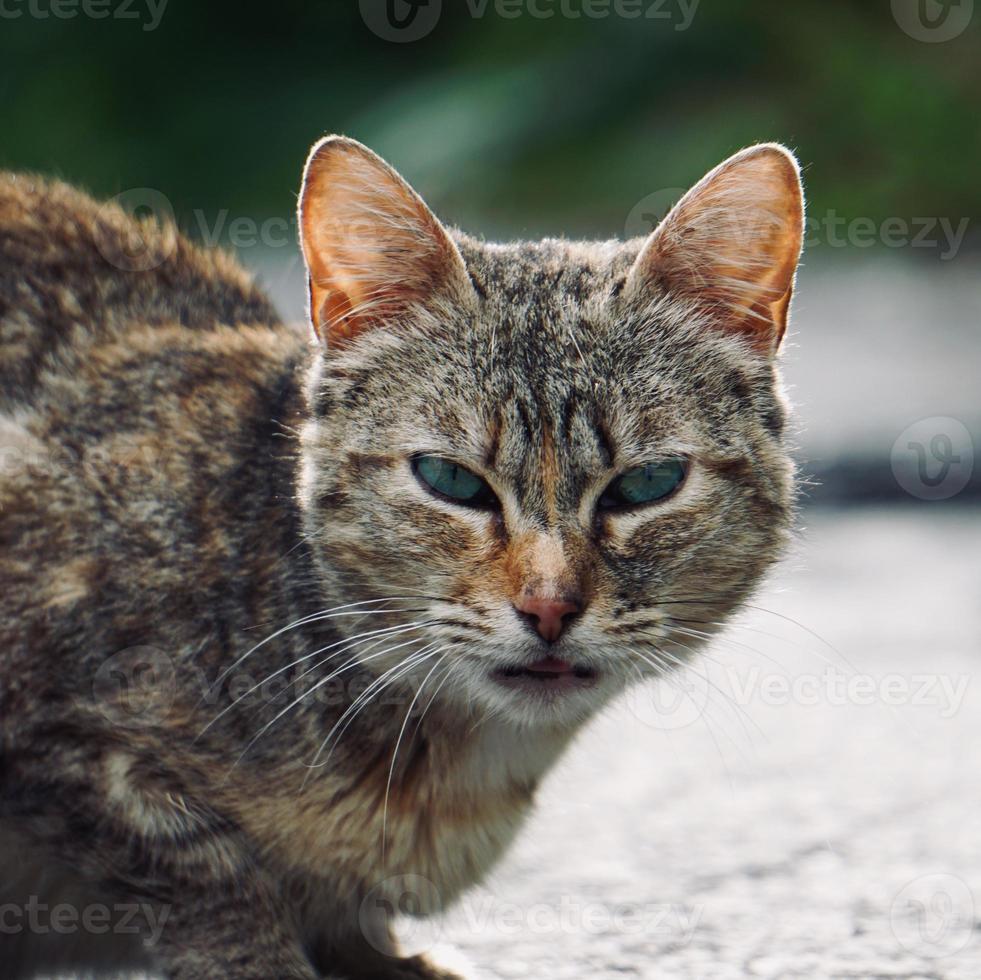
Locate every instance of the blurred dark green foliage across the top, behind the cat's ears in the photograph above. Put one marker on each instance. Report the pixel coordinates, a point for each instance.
(508, 126)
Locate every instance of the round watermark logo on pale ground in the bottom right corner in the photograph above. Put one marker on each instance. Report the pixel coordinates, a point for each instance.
(933, 916)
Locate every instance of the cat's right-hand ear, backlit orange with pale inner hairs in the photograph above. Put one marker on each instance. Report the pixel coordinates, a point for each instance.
(732, 244)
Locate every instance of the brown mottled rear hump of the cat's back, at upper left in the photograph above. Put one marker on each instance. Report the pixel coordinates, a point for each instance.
(76, 272)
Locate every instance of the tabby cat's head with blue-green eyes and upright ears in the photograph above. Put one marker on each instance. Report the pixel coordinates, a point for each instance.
(565, 459)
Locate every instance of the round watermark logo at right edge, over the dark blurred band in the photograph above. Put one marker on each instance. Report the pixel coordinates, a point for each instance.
(933, 459)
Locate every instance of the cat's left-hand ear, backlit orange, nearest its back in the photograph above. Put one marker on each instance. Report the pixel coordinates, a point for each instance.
(373, 249)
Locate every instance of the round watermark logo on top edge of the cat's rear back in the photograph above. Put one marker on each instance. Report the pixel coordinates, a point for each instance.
(141, 245)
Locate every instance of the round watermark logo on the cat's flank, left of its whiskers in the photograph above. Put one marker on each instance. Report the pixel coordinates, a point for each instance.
(135, 687)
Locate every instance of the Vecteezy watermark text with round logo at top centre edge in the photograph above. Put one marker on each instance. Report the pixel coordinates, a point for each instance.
(410, 20)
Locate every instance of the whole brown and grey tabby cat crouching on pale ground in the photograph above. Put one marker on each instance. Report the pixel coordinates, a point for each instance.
(293, 622)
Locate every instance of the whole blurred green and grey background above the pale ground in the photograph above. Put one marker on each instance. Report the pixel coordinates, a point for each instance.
(513, 124)
